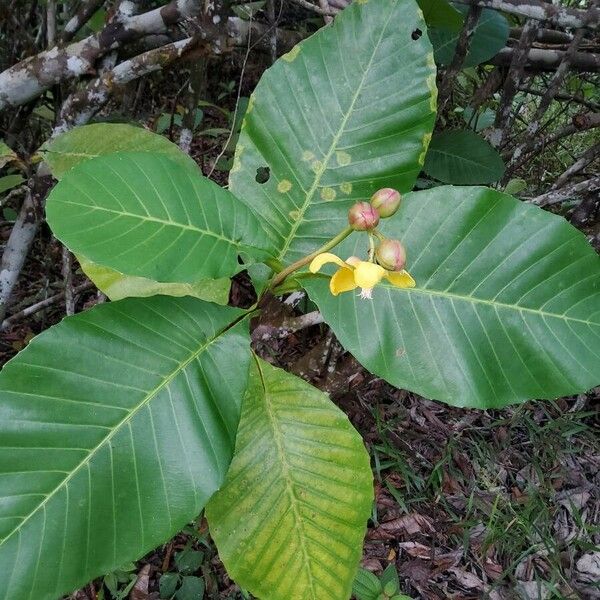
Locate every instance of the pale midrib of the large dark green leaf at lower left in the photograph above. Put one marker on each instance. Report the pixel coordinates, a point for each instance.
(143, 403)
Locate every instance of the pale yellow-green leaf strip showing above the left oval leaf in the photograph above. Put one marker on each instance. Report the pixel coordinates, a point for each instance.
(90, 141)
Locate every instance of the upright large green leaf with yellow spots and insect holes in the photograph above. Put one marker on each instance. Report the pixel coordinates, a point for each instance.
(347, 111)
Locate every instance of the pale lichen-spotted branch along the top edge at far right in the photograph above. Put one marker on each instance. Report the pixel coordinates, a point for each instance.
(543, 11)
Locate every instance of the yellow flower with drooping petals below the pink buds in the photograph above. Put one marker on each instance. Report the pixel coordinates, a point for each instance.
(355, 273)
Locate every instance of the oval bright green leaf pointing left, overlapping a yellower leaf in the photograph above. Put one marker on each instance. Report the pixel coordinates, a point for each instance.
(144, 214)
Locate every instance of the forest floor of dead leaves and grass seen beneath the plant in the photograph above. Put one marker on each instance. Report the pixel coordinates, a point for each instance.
(469, 504)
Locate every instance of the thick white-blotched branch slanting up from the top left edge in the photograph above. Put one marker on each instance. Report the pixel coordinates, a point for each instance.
(30, 78)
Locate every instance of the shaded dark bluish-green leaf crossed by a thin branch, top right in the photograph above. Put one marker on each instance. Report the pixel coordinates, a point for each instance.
(491, 35)
